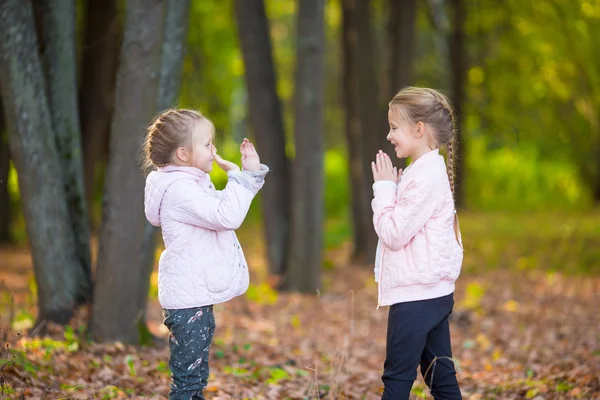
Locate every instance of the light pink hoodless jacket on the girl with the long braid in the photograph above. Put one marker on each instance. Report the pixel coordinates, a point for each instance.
(418, 255)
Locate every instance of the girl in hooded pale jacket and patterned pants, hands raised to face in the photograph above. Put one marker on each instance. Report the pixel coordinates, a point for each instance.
(203, 263)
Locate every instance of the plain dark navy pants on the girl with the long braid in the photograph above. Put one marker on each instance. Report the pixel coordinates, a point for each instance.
(419, 334)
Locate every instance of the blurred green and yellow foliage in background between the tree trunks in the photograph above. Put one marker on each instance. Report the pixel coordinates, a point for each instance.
(532, 121)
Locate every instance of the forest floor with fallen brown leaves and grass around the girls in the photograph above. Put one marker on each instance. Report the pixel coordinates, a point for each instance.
(526, 325)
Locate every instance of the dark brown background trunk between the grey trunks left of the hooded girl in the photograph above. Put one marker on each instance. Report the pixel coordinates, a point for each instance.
(103, 36)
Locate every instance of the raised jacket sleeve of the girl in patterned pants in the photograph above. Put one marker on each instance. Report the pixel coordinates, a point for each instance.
(192, 205)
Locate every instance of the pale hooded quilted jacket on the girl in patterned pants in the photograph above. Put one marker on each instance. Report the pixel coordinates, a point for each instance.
(203, 262)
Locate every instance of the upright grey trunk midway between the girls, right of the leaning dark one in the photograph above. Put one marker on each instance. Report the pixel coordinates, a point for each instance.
(304, 268)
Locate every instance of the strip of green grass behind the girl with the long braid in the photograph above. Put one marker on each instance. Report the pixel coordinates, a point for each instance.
(560, 242)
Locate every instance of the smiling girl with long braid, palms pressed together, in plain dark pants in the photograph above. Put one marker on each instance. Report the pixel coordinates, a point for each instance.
(420, 253)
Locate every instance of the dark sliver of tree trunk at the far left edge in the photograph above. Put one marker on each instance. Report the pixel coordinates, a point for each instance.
(5, 212)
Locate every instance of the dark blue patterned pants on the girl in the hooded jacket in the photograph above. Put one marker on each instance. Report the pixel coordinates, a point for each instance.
(192, 330)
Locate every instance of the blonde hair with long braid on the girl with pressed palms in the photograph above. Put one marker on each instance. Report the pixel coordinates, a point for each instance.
(414, 104)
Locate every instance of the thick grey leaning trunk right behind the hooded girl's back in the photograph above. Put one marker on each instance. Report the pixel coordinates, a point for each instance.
(116, 312)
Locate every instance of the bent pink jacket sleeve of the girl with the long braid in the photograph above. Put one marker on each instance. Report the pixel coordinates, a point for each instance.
(398, 214)
